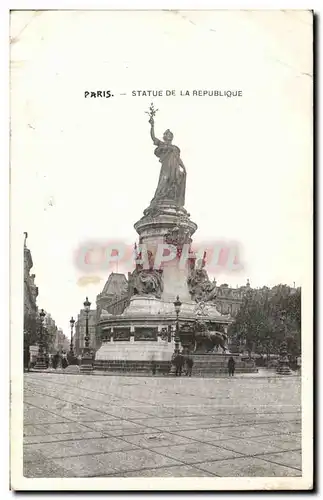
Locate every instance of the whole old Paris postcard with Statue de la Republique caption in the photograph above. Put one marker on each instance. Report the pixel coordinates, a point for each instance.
(161, 167)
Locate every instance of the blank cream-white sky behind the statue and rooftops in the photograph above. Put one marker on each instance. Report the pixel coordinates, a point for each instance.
(84, 169)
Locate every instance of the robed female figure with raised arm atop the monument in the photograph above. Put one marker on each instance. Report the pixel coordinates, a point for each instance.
(172, 178)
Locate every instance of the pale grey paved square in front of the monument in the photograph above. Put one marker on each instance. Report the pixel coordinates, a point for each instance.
(123, 426)
